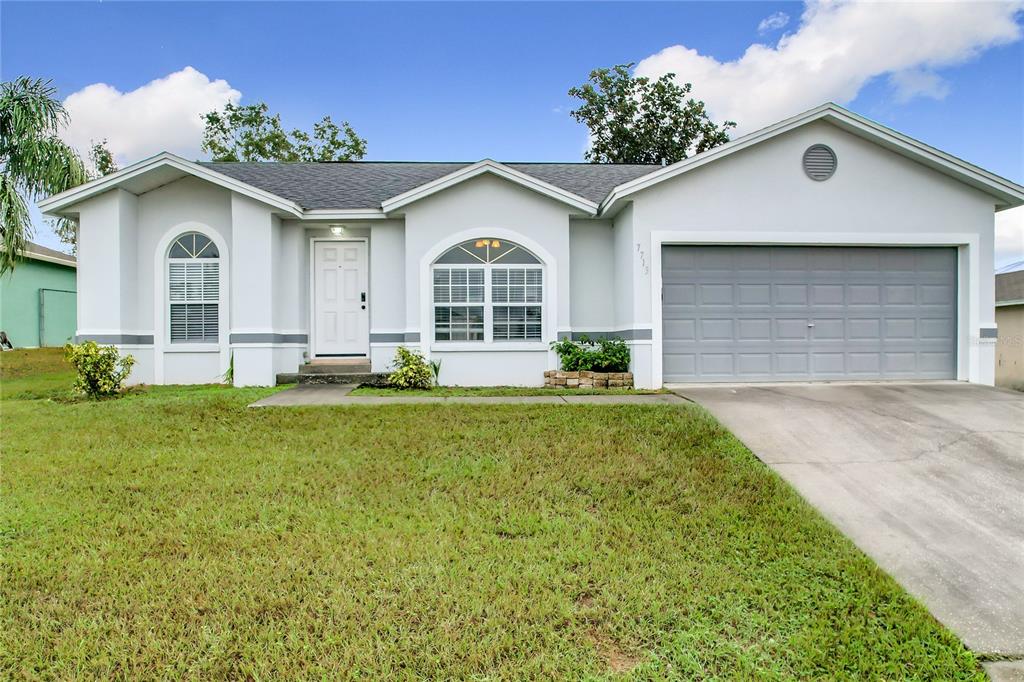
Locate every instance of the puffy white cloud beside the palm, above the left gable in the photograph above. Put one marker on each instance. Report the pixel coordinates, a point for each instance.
(163, 115)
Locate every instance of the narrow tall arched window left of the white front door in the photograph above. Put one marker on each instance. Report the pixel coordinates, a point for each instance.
(194, 289)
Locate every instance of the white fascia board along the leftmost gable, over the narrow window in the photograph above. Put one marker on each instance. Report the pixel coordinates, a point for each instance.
(57, 203)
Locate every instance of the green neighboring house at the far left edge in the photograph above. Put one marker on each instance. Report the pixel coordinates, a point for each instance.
(38, 300)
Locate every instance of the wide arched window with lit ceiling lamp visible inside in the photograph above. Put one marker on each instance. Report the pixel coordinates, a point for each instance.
(488, 290)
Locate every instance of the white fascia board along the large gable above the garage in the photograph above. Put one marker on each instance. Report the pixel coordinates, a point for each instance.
(1010, 194)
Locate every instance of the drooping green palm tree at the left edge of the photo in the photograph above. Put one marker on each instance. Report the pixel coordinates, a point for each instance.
(34, 161)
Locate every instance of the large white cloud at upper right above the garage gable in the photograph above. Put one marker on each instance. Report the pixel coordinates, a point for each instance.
(837, 50)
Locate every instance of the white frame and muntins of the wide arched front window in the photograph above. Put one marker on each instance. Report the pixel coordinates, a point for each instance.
(489, 305)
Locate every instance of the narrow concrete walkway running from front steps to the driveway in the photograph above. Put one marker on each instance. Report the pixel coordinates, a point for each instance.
(320, 395)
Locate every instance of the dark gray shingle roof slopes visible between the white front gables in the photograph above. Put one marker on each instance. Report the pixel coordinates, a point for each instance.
(364, 185)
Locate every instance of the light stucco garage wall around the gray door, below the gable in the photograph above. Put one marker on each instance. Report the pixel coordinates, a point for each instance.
(877, 197)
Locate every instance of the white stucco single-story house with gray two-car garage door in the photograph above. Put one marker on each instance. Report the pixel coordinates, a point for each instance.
(825, 247)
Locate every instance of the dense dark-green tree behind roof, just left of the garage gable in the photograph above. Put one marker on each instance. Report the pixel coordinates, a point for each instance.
(634, 120)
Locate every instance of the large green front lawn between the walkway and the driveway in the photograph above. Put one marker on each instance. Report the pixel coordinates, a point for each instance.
(178, 534)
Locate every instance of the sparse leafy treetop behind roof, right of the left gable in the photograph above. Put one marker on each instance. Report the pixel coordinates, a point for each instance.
(252, 134)
